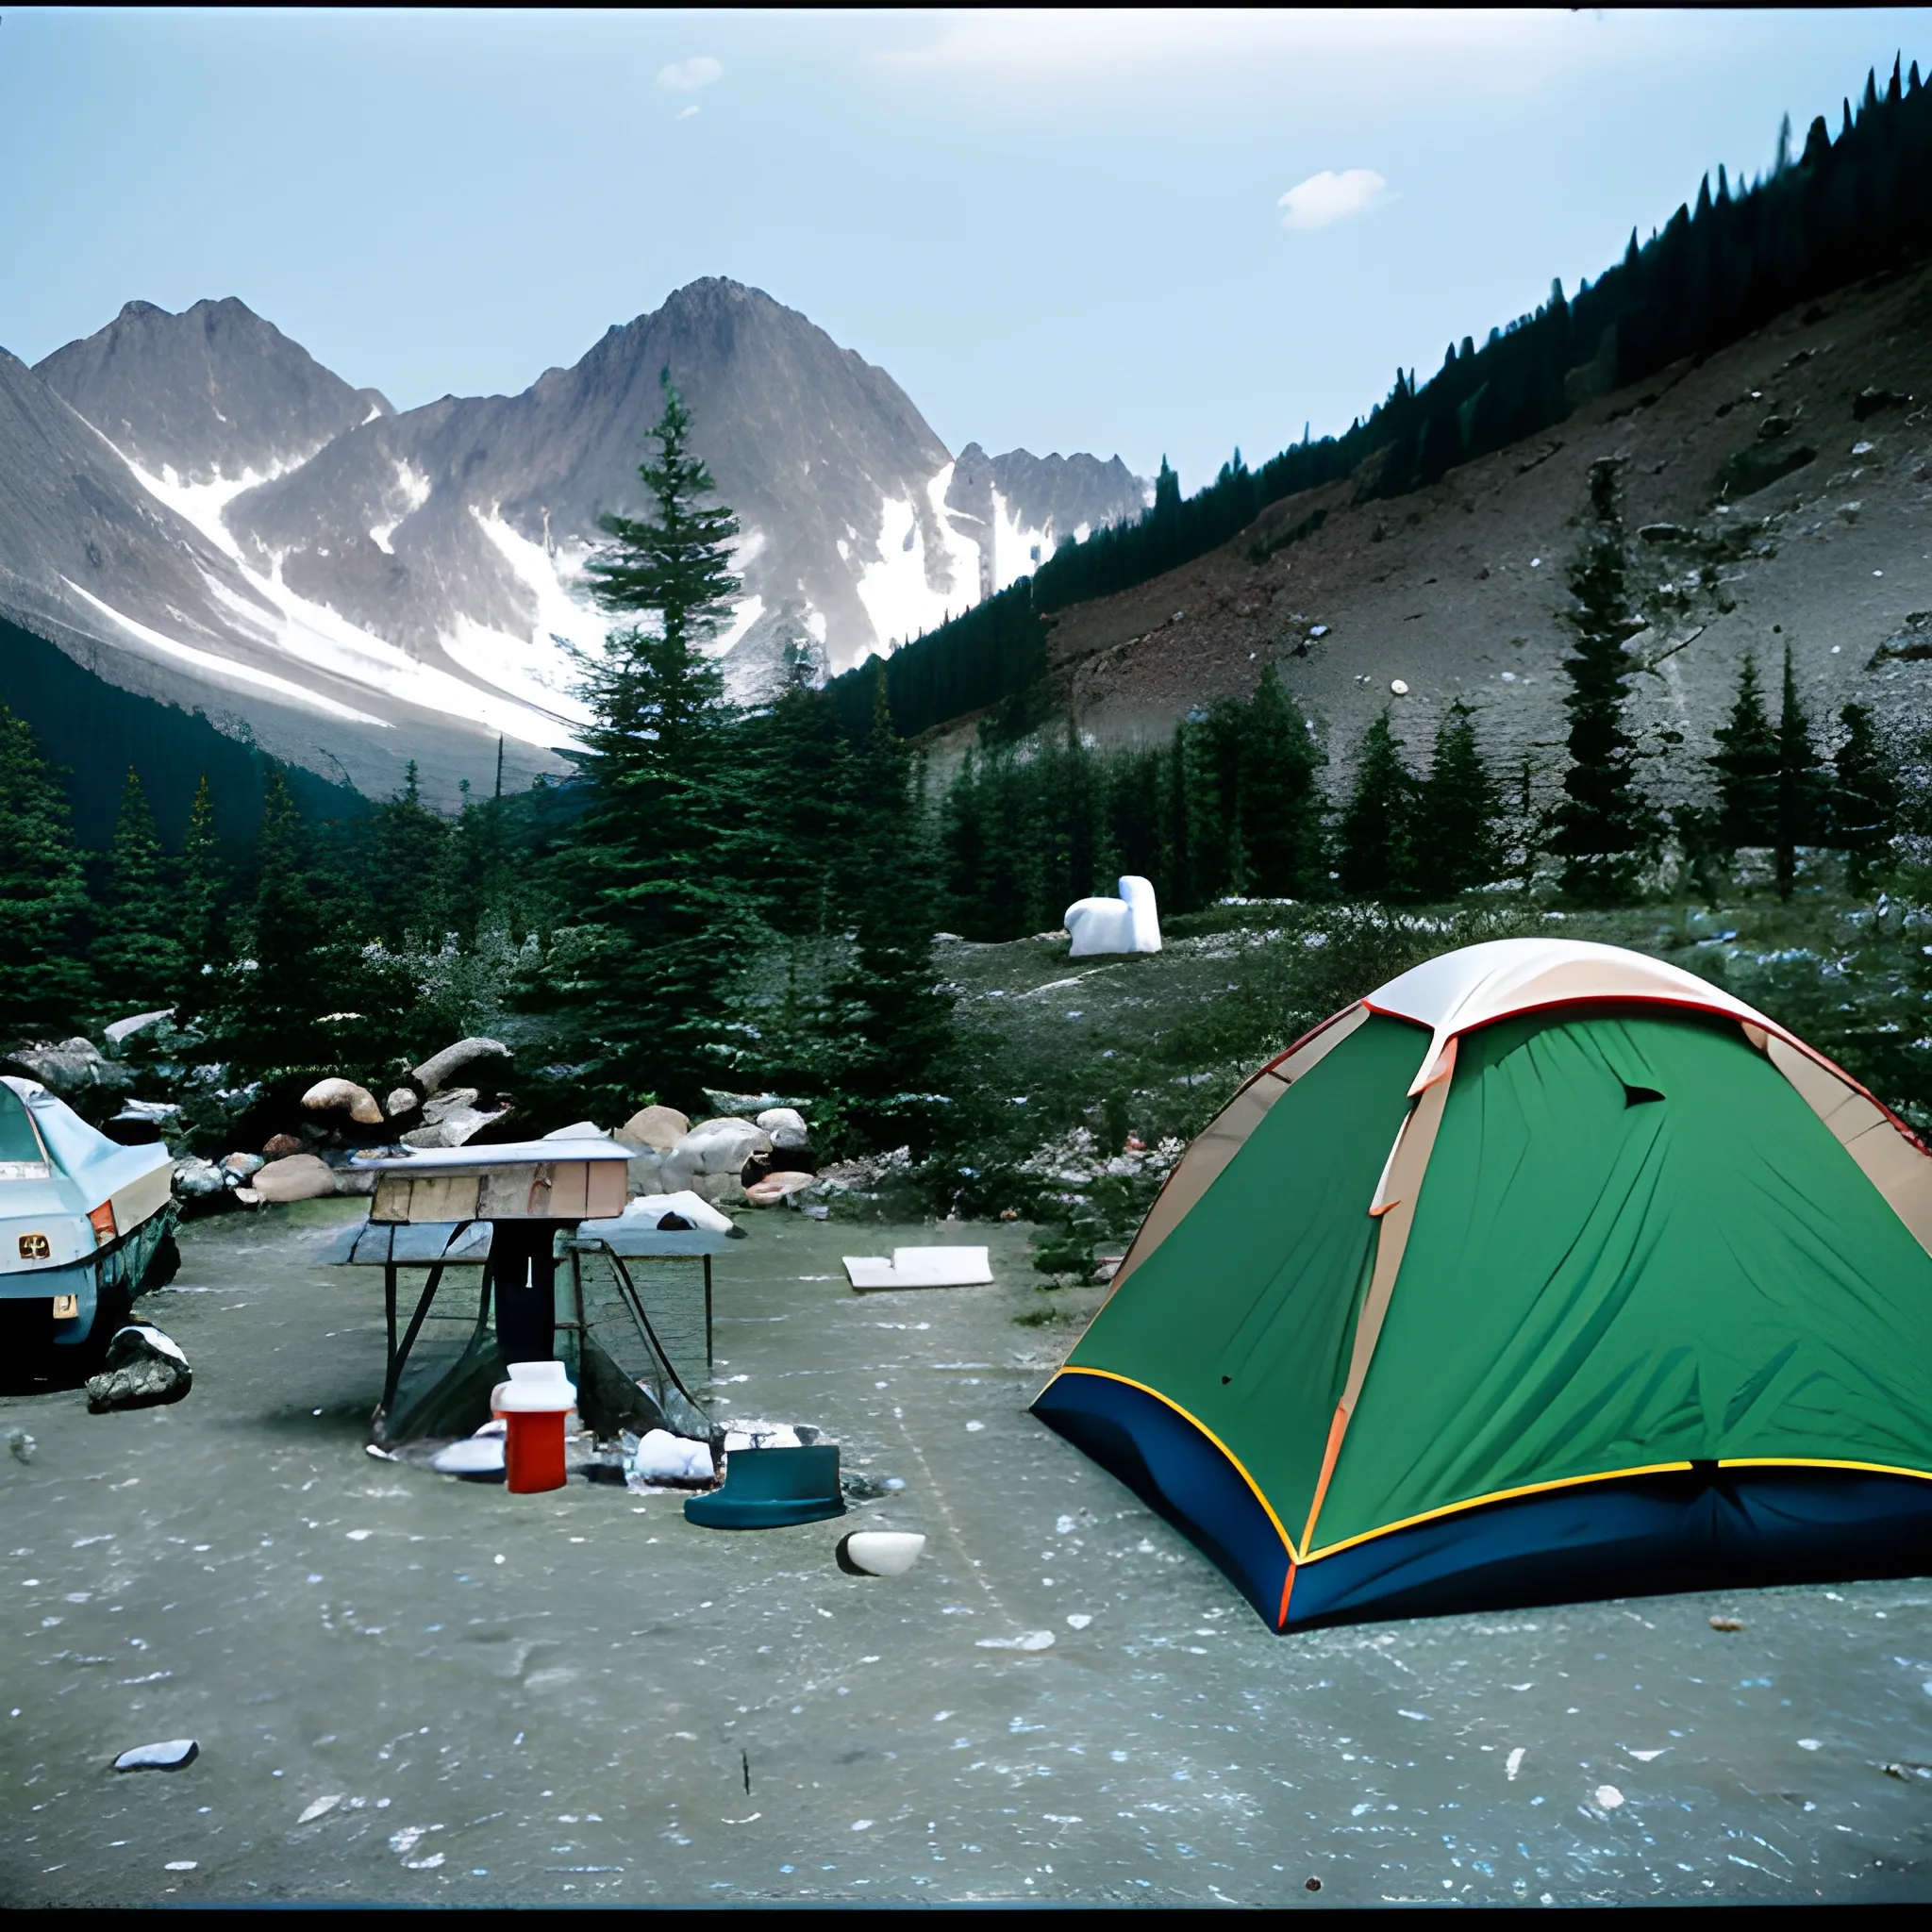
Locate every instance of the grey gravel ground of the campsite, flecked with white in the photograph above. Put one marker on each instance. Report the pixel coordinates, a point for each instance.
(420, 1691)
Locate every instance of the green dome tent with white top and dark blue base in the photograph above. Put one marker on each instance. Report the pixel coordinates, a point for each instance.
(1545, 1272)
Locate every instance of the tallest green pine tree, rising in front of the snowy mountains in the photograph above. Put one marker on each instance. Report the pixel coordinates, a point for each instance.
(662, 917)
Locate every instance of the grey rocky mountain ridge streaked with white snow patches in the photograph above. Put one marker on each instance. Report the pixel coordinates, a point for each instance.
(212, 517)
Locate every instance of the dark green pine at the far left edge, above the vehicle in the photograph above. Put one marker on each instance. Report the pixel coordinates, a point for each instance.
(43, 895)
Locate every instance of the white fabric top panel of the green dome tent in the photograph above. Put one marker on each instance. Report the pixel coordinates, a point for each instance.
(1502, 977)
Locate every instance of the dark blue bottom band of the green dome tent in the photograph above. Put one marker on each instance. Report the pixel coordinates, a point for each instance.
(1697, 1529)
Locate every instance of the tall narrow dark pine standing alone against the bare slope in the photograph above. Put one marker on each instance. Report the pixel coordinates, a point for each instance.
(1603, 826)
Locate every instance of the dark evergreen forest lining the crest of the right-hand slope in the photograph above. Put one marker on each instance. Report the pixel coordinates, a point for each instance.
(1840, 210)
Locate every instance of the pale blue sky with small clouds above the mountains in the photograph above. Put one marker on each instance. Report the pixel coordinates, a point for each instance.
(1054, 231)
